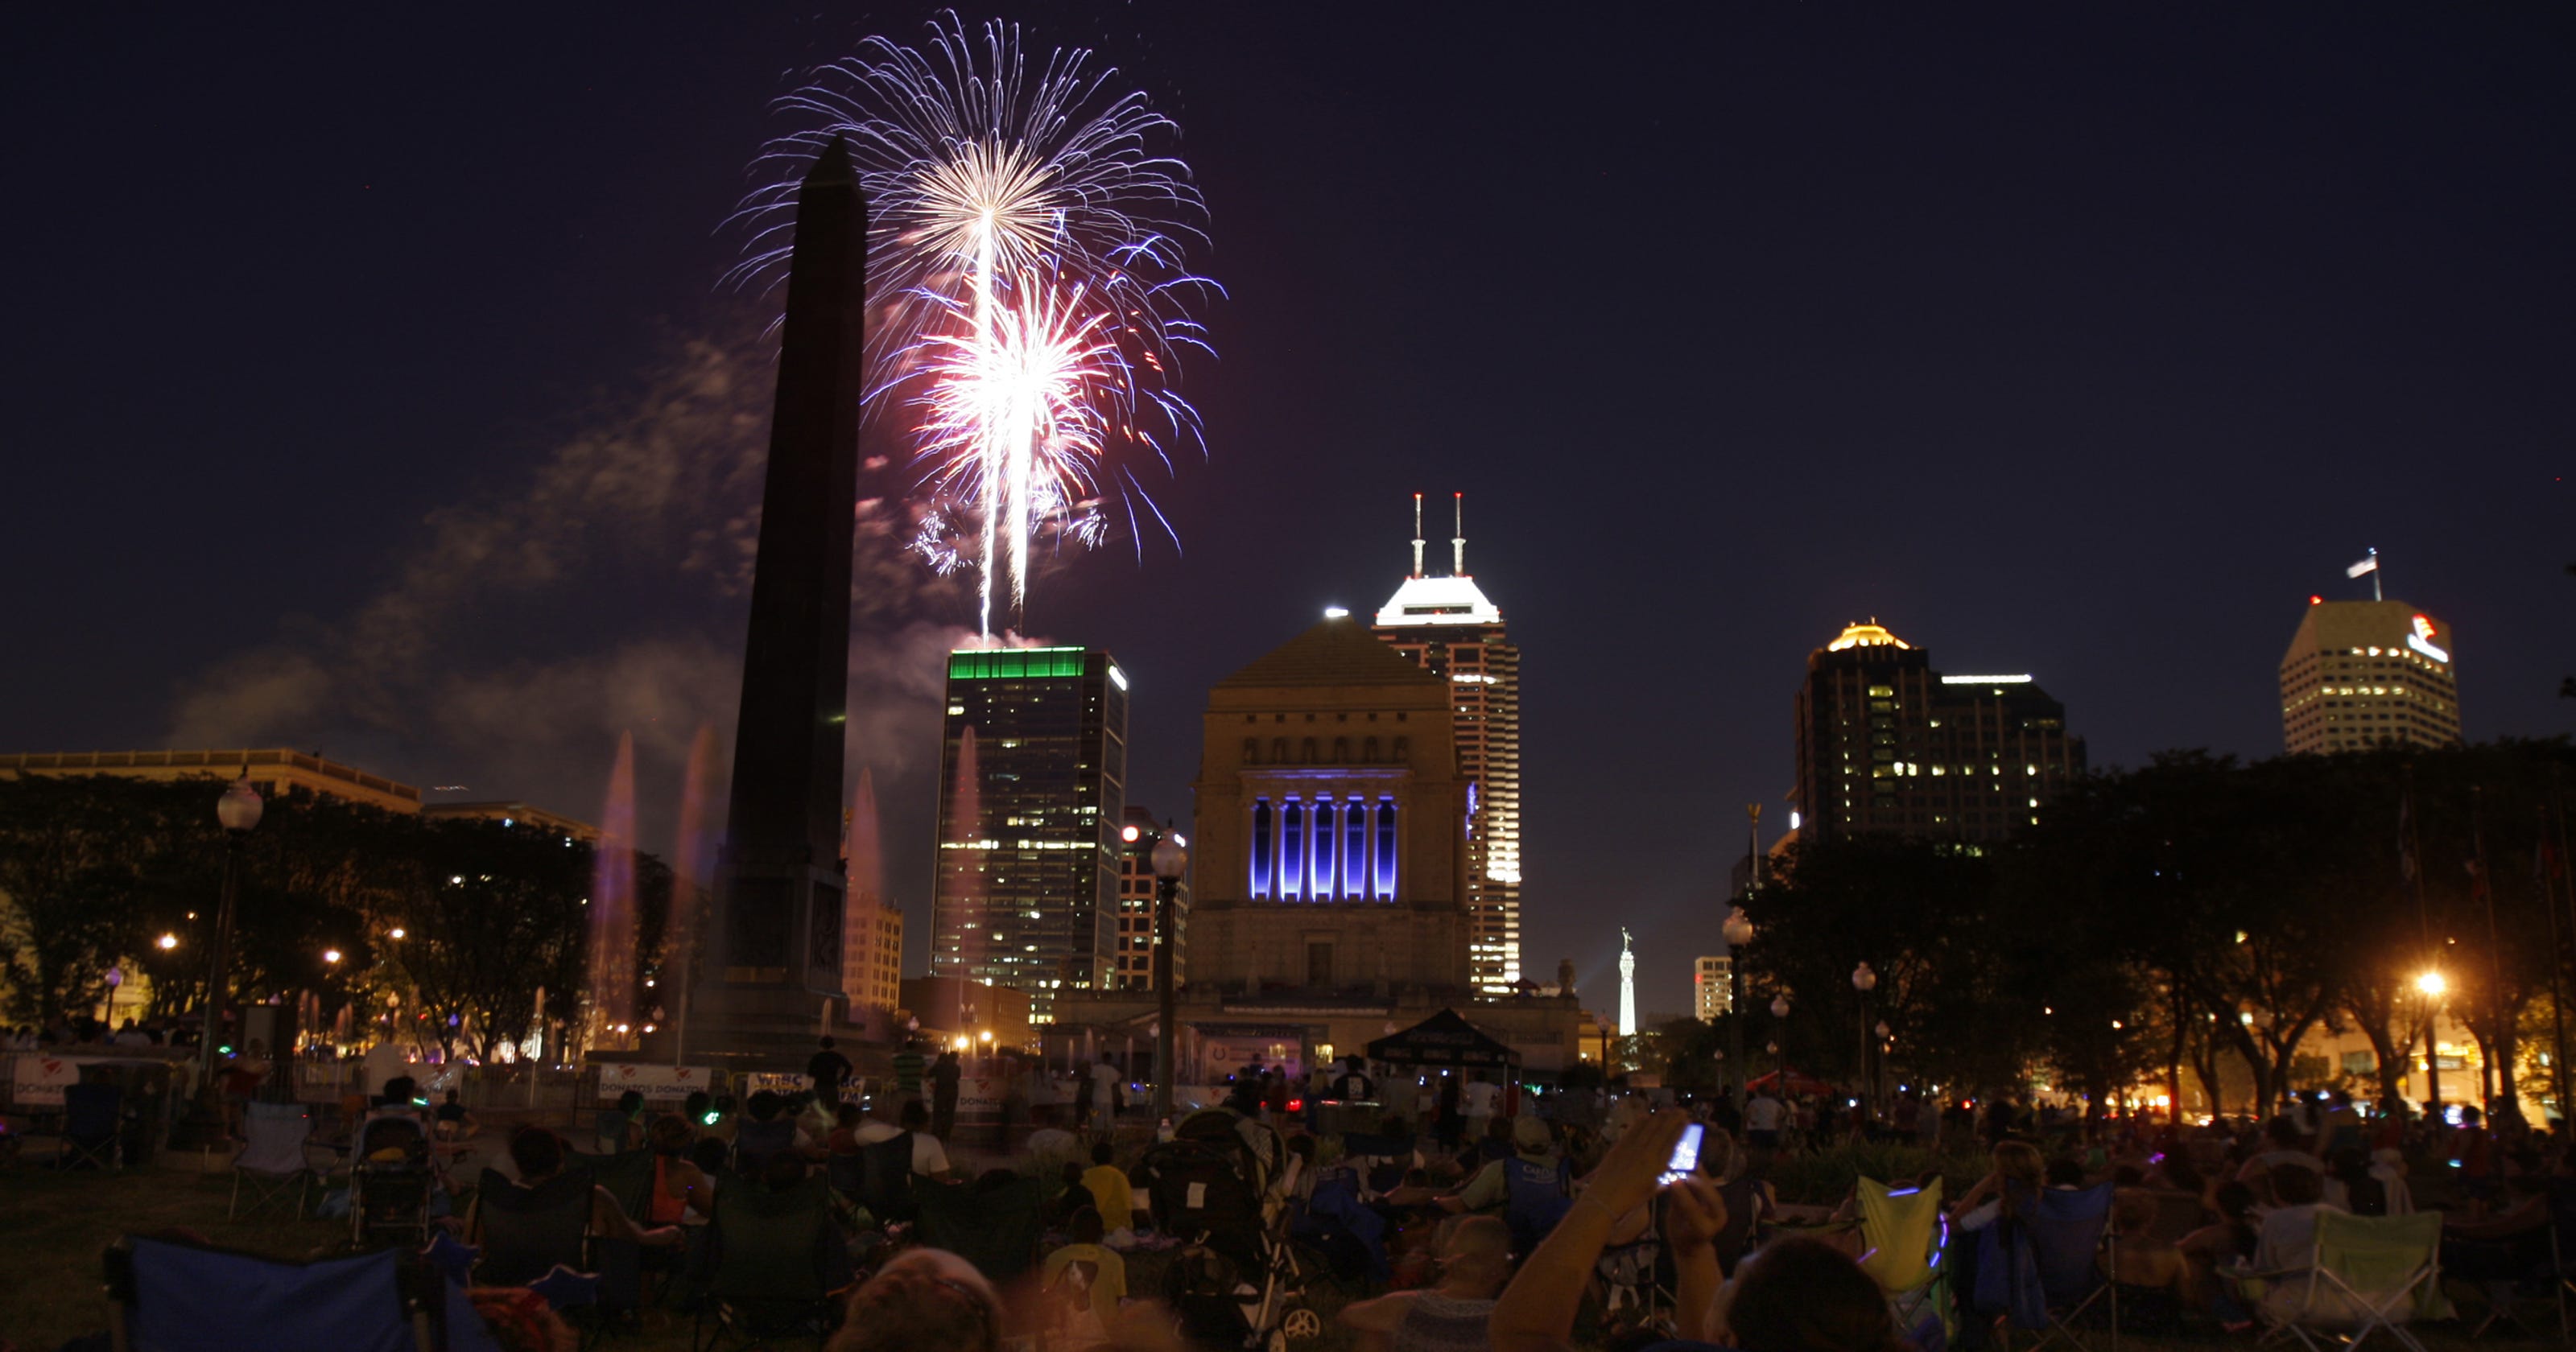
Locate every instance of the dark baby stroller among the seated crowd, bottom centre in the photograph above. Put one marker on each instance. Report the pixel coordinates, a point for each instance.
(1207, 1188)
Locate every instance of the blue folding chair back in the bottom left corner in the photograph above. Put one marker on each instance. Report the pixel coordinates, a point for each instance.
(189, 1297)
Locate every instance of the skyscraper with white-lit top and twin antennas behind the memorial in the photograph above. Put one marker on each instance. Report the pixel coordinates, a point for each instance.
(1449, 627)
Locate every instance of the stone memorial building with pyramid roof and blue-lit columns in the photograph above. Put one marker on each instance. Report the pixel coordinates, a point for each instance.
(1328, 872)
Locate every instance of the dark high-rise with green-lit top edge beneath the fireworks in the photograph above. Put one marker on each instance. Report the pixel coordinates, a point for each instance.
(1032, 802)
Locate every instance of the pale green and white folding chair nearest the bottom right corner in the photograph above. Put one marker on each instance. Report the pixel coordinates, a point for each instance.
(2371, 1273)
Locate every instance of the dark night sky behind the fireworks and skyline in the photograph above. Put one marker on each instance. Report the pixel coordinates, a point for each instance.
(370, 385)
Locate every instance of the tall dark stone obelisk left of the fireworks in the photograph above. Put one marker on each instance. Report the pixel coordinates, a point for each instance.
(774, 944)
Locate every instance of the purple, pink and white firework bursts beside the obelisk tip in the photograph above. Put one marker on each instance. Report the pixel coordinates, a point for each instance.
(1027, 249)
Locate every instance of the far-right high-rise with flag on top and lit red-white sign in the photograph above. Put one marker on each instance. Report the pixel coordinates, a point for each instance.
(2369, 673)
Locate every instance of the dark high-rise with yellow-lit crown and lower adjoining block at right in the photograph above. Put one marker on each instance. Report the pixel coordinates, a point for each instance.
(1892, 746)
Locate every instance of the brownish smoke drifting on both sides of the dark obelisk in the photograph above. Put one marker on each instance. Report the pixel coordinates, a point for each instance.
(604, 594)
